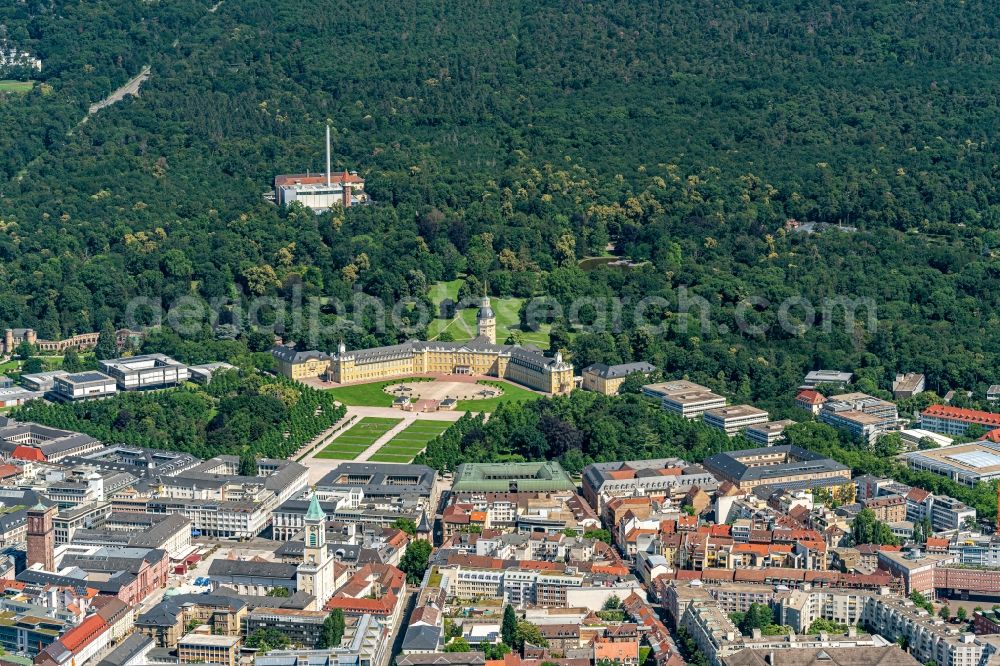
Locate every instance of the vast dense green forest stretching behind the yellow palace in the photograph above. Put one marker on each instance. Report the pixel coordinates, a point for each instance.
(509, 140)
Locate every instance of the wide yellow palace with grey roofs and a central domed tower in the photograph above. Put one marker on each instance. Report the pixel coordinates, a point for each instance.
(479, 356)
